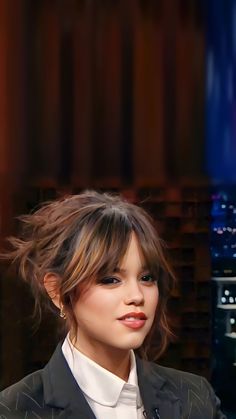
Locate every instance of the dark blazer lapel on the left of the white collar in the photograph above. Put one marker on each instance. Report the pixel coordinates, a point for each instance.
(61, 390)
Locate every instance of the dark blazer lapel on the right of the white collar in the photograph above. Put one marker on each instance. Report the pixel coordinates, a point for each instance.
(159, 401)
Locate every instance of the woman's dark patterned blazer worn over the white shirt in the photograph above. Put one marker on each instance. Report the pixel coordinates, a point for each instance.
(53, 393)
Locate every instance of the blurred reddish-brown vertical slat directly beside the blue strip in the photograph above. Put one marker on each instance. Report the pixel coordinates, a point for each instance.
(189, 148)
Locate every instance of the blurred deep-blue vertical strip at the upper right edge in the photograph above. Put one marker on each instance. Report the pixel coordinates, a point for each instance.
(221, 91)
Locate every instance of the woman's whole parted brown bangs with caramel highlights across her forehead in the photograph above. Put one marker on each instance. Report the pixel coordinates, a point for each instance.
(102, 241)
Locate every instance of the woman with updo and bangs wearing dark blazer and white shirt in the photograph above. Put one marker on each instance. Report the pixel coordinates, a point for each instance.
(99, 260)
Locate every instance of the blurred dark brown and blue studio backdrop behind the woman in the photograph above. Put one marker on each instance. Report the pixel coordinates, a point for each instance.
(137, 97)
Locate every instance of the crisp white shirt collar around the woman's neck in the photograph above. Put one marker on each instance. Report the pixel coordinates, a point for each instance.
(97, 383)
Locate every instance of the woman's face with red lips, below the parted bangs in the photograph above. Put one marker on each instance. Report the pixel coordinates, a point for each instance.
(117, 312)
